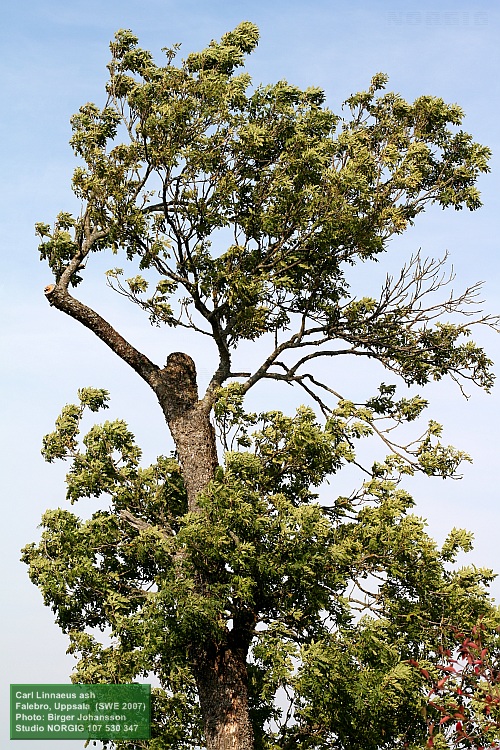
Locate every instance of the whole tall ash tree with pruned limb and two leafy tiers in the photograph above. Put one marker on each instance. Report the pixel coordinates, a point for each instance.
(230, 580)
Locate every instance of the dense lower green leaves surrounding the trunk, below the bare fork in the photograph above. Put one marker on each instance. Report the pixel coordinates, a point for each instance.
(270, 554)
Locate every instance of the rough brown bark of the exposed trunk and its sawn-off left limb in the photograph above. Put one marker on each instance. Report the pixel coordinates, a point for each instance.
(220, 669)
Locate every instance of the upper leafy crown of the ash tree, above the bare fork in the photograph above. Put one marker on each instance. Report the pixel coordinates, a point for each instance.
(179, 153)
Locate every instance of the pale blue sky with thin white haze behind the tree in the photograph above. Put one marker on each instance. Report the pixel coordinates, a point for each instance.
(53, 58)
